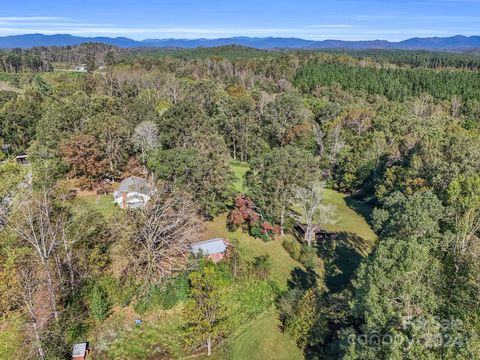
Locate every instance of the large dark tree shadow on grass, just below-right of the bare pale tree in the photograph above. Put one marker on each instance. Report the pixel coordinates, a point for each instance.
(342, 257)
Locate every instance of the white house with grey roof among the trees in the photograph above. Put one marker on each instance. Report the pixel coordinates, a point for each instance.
(133, 193)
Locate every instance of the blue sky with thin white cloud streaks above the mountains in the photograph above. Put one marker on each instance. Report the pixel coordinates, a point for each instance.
(309, 19)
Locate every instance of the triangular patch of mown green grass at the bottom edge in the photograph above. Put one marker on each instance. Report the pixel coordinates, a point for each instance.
(261, 339)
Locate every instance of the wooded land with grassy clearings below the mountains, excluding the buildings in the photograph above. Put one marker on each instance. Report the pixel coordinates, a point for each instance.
(346, 182)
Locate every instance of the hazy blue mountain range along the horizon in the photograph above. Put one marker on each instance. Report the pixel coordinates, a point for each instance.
(458, 42)
